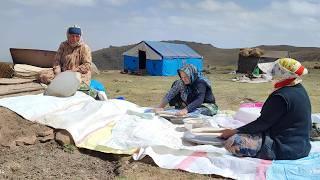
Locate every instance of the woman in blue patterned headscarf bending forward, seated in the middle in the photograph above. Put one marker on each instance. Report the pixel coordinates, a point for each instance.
(191, 92)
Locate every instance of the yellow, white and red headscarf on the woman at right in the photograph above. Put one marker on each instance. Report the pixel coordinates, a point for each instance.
(284, 71)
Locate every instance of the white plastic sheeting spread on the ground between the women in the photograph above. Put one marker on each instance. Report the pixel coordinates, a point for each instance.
(116, 126)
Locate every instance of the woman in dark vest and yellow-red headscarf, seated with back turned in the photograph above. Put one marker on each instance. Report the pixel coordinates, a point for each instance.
(283, 129)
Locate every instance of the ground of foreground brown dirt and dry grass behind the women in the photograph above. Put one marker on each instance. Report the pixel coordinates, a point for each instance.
(48, 160)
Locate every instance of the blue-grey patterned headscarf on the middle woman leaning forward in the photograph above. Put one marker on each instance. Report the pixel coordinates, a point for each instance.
(193, 74)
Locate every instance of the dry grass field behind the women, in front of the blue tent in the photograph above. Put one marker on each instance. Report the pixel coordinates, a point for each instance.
(148, 90)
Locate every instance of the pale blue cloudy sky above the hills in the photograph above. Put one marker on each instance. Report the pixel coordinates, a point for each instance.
(41, 24)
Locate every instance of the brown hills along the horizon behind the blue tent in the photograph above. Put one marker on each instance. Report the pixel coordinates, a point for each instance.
(111, 58)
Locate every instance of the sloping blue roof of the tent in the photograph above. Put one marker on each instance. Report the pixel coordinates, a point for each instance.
(172, 50)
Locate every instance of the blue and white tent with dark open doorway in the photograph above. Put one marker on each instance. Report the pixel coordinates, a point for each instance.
(160, 58)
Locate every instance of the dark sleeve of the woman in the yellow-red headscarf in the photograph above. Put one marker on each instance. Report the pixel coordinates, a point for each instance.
(272, 111)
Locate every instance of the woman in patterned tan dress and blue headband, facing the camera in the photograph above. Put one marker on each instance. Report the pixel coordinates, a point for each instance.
(73, 55)
